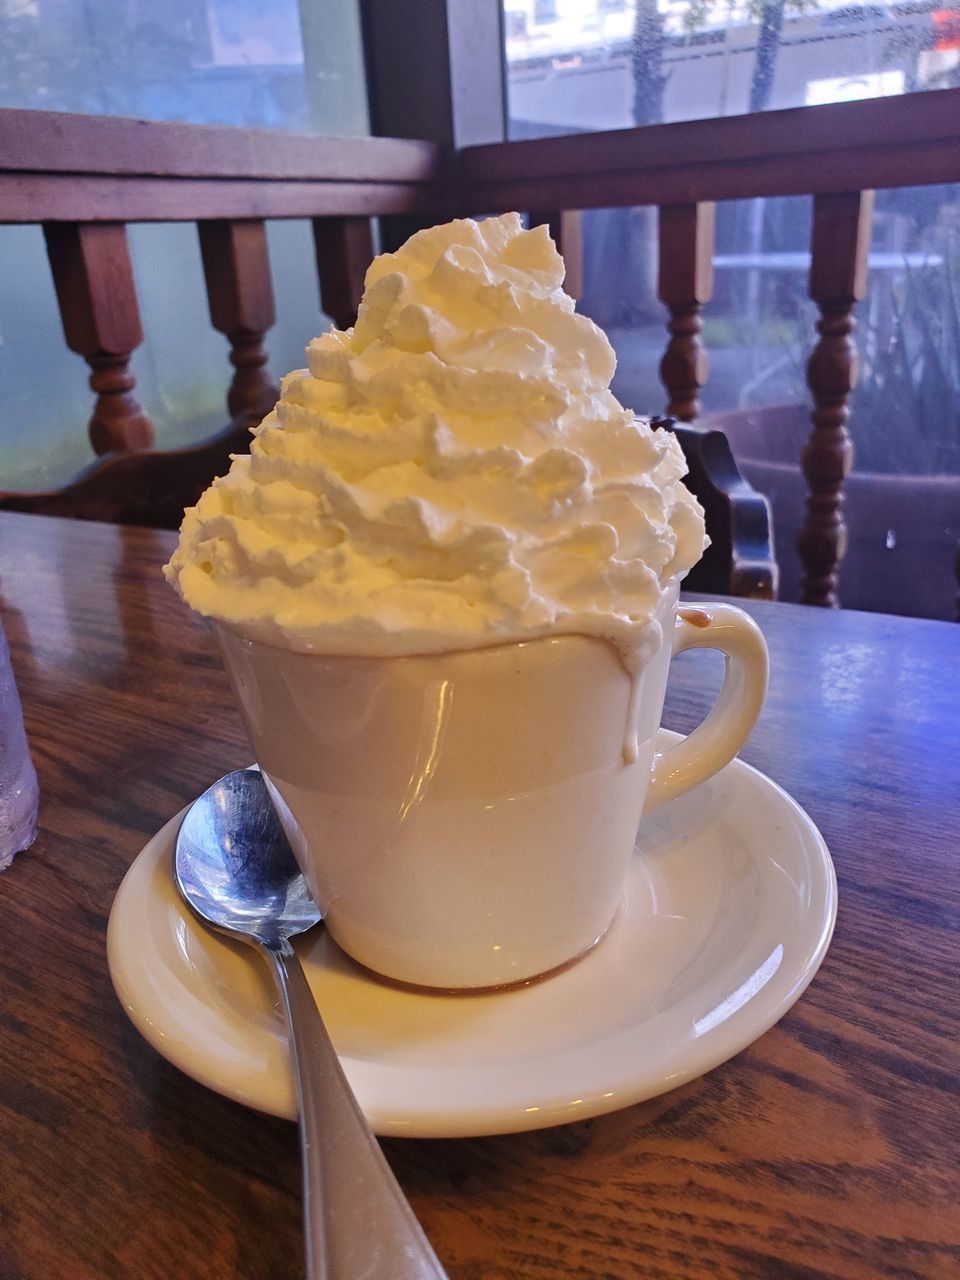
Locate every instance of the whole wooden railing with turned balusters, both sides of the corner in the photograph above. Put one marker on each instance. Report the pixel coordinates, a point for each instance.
(84, 179)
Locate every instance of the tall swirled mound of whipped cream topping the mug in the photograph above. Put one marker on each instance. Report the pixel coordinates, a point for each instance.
(451, 473)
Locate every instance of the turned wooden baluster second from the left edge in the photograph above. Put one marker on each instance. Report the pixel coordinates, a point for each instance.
(237, 272)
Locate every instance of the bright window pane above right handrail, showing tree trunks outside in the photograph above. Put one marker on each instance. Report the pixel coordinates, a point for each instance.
(606, 65)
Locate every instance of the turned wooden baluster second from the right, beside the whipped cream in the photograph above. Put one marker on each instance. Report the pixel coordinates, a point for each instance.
(685, 286)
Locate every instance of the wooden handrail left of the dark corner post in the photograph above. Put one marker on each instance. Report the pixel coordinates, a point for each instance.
(92, 170)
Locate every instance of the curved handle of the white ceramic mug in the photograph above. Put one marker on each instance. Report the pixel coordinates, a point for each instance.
(717, 740)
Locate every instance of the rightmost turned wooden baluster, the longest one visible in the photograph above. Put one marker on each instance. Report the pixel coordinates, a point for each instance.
(840, 245)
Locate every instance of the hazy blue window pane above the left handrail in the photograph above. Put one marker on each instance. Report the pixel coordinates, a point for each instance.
(211, 62)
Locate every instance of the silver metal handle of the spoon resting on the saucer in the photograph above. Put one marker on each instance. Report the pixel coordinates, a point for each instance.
(356, 1219)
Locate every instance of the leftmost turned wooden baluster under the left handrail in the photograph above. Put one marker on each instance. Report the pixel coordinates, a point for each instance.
(98, 299)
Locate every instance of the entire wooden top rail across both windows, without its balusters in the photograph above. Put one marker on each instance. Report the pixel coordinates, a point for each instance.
(103, 170)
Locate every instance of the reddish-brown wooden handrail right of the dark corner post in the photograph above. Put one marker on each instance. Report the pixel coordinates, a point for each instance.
(899, 141)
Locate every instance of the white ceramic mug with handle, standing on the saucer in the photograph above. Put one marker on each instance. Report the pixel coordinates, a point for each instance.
(467, 820)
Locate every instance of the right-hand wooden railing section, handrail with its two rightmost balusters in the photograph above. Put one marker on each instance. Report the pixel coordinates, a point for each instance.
(839, 154)
